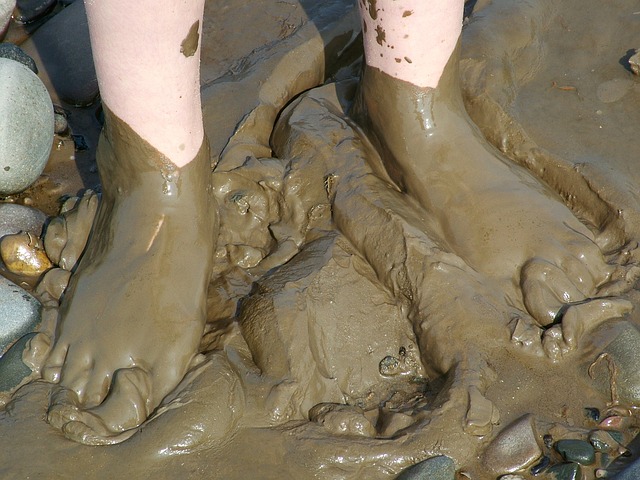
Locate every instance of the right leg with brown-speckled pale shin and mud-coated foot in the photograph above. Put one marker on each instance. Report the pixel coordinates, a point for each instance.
(503, 222)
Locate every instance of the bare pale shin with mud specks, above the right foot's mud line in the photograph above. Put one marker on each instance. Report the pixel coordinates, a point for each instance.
(411, 40)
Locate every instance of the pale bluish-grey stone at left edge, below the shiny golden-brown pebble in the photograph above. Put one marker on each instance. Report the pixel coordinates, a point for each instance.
(19, 313)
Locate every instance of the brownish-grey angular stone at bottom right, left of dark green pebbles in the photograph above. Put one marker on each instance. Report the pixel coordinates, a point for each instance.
(515, 448)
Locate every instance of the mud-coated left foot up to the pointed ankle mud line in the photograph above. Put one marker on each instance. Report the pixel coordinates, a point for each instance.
(133, 315)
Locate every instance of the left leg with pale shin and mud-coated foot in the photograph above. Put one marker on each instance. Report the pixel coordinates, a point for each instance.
(134, 312)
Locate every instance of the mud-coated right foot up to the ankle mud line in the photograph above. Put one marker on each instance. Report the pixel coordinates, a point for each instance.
(500, 219)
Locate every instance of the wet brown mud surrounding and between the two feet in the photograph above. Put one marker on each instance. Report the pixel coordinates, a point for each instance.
(319, 321)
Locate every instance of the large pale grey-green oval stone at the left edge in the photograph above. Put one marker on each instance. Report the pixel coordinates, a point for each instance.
(26, 127)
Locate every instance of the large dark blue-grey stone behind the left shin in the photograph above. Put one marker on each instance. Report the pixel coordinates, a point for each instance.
(62, 50)
